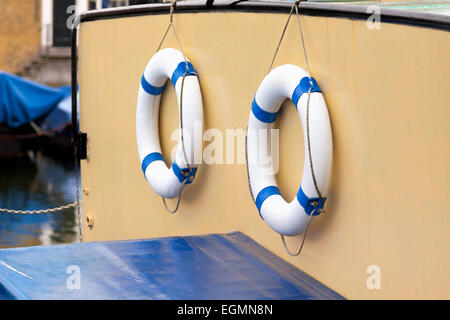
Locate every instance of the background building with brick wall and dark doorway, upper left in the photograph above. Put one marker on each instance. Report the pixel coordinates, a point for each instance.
(35, 39)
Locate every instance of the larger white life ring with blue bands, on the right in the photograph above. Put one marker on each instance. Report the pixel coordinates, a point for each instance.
(289, 81)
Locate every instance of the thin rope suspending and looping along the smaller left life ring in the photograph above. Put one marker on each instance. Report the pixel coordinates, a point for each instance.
(171, 26)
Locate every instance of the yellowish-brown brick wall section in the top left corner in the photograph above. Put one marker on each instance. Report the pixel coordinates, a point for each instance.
(20, 35)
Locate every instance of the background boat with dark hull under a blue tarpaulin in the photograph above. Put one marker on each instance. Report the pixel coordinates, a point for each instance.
(34, 117)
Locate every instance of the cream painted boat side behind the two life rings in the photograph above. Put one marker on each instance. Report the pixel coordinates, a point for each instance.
(388, 95)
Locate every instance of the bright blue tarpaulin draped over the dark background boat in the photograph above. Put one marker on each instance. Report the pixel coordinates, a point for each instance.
(22, 101)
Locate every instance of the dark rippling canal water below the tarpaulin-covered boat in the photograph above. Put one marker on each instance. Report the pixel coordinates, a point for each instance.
(37, 182)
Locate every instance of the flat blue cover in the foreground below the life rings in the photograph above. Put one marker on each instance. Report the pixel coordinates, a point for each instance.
(228, 266)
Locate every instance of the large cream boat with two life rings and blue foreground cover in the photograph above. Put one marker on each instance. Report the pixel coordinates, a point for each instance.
(382, 70)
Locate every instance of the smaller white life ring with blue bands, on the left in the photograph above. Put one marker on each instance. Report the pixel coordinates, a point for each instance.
(168, 64)
